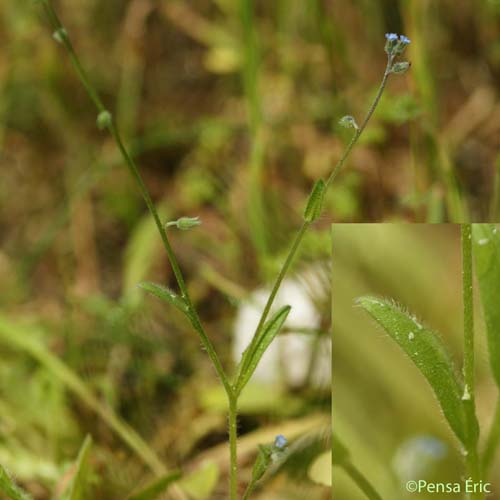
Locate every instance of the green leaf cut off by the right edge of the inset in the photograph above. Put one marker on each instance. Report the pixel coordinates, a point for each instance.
(486, 249)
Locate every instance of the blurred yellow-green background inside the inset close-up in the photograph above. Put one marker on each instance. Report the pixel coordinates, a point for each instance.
(384, 411)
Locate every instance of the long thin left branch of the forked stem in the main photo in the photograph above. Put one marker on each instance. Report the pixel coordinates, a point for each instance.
(130, 162)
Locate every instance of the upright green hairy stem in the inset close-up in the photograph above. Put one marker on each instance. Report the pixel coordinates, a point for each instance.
(472, 428)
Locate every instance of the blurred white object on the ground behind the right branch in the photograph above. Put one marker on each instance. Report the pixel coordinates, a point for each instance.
(289, 356)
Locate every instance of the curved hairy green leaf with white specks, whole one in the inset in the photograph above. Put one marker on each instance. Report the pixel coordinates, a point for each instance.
(428, 353)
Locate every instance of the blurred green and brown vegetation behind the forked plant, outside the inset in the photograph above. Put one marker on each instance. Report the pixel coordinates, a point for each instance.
(231, 116)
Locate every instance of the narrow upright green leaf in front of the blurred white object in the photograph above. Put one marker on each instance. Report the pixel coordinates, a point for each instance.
(257, 348)
